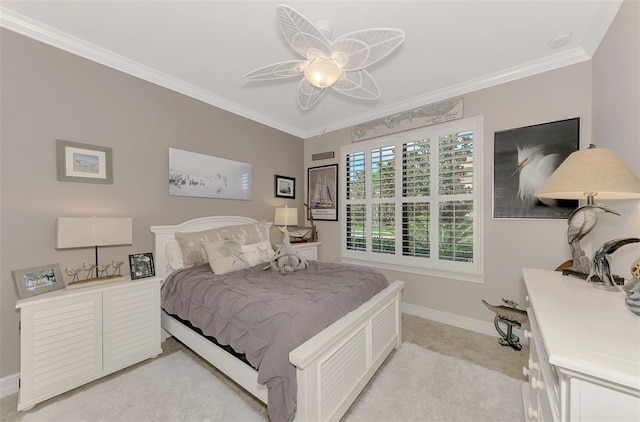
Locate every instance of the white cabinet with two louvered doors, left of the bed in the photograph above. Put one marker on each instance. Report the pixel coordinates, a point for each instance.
(71, 337)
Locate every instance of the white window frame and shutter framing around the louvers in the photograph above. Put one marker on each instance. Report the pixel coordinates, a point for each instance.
(471, 272)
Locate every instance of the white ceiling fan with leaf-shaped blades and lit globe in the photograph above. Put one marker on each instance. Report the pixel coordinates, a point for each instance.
(338, 64)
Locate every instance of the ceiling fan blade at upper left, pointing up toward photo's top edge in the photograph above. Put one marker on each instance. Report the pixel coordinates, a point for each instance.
(301, 34)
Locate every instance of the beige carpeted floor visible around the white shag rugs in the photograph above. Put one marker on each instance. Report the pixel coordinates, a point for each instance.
(476, 348)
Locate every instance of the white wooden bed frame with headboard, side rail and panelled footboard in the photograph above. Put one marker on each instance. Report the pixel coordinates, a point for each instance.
(331, 368)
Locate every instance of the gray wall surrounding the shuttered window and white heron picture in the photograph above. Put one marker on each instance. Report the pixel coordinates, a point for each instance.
(508, 244)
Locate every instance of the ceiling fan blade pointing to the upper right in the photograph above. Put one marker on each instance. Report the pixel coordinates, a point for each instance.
(365, 47)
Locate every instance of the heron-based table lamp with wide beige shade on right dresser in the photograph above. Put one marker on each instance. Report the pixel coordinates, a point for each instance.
(593, 173)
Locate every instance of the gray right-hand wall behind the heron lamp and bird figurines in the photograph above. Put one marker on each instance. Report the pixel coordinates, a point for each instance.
(616, 123)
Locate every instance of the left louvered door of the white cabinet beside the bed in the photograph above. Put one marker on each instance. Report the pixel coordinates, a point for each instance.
(61, 346)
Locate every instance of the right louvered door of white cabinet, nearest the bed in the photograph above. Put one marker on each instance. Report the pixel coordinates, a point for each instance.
(131, 324)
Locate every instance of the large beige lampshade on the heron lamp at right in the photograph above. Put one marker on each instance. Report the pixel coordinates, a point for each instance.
(593, 172)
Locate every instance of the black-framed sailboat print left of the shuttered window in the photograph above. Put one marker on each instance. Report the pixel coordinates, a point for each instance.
(322, 189)
